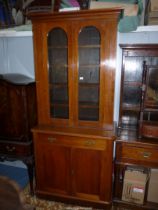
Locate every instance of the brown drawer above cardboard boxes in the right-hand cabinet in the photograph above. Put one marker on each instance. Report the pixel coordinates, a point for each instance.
(136, 153)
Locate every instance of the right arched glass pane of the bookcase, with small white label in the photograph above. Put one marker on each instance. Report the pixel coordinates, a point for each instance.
(89, 74)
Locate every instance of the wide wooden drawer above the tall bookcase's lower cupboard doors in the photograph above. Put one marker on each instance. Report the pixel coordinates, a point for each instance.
(73, 141)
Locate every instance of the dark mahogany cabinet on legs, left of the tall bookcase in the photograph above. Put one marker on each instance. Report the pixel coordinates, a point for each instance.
(18, 115)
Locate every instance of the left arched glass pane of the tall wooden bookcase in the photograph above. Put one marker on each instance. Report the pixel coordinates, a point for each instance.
(58, 73)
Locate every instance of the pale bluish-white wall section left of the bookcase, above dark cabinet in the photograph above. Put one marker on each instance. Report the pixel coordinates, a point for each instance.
(16, 54)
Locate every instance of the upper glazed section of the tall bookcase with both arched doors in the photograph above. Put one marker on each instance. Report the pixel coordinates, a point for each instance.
(75, 69)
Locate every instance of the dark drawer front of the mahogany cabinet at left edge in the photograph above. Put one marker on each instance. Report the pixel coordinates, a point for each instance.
(12, 149)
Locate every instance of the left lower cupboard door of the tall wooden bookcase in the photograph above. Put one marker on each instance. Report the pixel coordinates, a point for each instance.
(52, 167)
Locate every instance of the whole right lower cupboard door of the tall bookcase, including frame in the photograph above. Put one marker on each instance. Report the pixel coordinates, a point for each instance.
(92, 173)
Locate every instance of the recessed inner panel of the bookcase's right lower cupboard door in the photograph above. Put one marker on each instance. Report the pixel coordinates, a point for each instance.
(86, 170)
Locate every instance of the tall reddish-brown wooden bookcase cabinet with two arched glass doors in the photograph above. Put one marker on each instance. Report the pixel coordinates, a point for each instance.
(74, 58)
